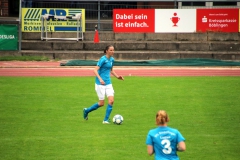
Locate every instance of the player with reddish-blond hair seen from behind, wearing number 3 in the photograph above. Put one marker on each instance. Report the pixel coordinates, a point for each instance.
(164, 141)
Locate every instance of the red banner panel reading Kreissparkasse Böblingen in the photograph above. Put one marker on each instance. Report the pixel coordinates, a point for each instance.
(219, 20)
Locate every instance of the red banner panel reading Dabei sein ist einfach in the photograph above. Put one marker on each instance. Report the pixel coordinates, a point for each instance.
(133, 20)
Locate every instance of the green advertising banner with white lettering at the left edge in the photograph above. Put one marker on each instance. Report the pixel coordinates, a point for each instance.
(8, 37)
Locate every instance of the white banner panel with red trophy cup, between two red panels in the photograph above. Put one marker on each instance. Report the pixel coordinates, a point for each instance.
(175, 20)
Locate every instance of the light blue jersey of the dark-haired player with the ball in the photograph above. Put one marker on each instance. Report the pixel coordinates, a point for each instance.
(105, 65)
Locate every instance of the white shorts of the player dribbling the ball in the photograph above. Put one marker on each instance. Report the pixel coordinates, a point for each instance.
(104, 90)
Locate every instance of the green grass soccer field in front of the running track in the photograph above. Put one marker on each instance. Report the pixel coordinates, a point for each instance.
(41, 118)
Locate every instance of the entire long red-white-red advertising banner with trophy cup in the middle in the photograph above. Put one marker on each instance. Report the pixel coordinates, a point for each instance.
(176, 20)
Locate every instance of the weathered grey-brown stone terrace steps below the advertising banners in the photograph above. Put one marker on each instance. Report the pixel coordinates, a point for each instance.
(134, 46)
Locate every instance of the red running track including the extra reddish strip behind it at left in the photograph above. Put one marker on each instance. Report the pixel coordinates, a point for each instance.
(53, 69)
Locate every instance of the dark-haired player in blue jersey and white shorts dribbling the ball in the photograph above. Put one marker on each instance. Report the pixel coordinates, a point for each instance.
(103, 84)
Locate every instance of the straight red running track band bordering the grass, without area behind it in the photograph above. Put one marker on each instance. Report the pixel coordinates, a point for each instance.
(153, 72)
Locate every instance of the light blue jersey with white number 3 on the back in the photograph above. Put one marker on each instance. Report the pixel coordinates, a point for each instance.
(164, 141)
